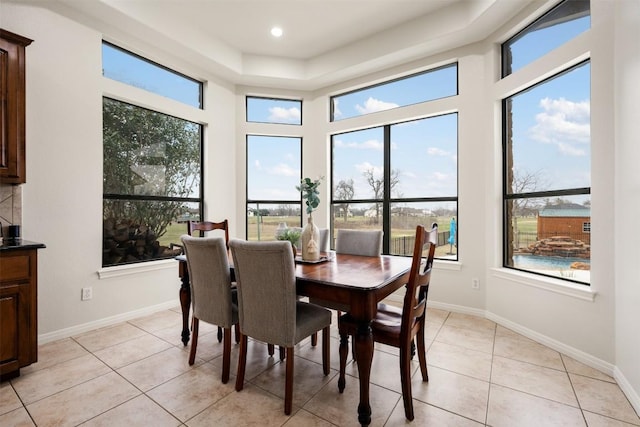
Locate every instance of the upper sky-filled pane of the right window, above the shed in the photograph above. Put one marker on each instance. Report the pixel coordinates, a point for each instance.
(550, 134)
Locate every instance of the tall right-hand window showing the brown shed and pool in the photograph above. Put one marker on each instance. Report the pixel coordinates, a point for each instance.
(547, 180)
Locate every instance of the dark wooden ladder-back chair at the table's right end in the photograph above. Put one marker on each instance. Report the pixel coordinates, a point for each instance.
(398, 327)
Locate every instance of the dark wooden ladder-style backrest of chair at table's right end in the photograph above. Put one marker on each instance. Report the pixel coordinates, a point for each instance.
(415, 299)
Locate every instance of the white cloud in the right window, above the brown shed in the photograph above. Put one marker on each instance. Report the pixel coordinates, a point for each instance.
(563, 123)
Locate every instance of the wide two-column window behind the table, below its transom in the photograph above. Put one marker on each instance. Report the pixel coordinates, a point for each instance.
(395, 177)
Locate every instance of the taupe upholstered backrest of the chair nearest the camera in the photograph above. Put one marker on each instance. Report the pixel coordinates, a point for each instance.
(266, 277)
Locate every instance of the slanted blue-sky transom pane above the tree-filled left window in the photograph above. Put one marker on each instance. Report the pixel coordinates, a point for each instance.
(125, 67)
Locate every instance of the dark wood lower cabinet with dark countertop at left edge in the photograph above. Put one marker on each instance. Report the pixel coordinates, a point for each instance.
(18, 309)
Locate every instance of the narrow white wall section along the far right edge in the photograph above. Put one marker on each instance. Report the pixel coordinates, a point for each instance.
(626, 193)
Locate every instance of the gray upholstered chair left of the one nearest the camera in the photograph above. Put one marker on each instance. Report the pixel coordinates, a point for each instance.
(214, 300)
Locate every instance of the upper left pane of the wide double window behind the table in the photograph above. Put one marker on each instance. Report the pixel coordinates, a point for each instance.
(358, 164)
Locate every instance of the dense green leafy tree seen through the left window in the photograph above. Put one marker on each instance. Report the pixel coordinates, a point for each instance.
(148, 155)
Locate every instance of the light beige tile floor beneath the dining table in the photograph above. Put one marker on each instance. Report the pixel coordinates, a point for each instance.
(136, 374)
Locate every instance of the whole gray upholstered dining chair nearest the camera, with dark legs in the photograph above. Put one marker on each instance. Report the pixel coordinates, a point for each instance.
(269, 309)
